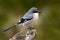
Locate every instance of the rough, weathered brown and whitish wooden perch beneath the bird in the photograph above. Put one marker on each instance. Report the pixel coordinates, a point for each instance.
(30, 35)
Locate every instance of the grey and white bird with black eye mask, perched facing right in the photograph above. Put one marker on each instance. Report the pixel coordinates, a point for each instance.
(30, 18)
